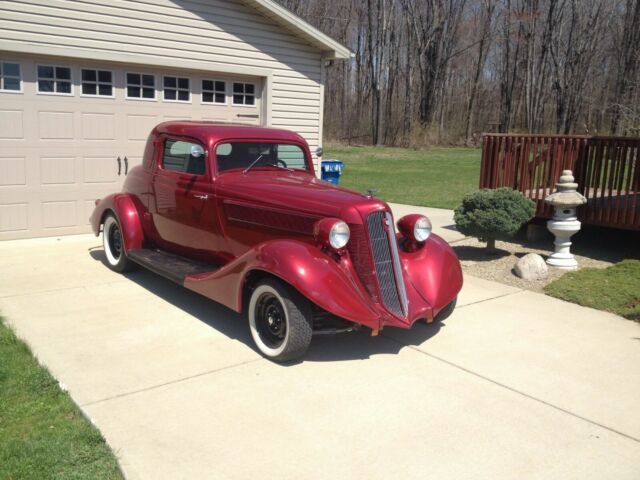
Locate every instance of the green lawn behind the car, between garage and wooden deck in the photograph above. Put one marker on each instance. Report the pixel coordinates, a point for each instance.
(433, 177)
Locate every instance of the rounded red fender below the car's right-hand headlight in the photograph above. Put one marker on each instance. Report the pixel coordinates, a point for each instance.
(434, 271)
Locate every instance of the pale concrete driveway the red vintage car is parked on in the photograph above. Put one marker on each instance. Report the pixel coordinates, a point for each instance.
(513, 385)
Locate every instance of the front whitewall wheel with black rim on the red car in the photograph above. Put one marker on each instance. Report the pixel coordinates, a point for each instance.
(280, 320)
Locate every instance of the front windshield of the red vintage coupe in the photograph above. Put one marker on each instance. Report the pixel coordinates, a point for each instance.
(250, 155)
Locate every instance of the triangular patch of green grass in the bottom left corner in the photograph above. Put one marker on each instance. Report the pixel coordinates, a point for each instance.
(43, 434)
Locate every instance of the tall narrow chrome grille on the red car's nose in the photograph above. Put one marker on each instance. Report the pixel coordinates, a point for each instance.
(386, 262)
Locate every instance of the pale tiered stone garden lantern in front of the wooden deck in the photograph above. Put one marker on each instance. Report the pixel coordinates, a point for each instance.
(564, 223)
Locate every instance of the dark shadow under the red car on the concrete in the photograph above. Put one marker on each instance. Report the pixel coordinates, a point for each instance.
(324, 348)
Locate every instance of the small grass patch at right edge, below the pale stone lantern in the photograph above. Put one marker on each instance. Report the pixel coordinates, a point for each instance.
(615, 289)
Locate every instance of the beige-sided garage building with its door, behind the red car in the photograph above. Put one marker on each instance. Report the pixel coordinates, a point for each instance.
(82, 85)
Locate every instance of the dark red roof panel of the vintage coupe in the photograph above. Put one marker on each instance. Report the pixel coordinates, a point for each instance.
(211, 132)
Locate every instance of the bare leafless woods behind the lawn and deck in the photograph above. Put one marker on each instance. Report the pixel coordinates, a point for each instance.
(444, 71)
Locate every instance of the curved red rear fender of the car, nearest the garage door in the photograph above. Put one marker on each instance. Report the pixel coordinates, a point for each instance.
(124, 206)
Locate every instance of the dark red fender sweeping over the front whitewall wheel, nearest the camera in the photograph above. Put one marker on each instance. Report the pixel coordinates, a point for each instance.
(314, 274)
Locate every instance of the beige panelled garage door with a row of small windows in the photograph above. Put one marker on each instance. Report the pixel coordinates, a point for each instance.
(70, 131)
